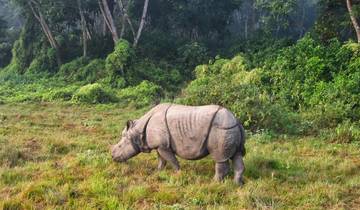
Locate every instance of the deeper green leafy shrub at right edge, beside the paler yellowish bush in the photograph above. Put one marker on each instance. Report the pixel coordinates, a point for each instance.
(299, 72)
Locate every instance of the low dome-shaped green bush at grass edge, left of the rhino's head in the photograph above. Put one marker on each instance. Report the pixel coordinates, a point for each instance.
(92, 94)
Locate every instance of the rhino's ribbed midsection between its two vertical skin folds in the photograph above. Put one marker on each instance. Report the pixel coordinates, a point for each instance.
(189, 127)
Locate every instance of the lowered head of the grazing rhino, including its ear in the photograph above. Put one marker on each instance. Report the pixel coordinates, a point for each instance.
(128, 144)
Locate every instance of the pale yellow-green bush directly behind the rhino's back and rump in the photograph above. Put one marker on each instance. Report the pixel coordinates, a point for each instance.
(228, 83)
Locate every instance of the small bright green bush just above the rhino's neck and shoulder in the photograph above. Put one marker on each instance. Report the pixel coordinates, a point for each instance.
(141, 95)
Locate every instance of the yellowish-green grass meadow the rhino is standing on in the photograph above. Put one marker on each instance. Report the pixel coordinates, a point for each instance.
(55, 156)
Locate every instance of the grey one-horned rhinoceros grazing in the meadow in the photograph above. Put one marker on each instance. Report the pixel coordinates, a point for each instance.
(190, 132)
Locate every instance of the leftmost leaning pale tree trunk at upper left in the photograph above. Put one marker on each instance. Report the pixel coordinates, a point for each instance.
(44, 26)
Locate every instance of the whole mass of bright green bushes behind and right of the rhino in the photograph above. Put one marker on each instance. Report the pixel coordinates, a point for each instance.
(301, 89)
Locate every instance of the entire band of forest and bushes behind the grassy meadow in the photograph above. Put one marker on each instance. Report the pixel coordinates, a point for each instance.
(253, 57)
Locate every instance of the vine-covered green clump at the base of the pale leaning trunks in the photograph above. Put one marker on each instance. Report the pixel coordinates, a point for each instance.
(117, 61)
